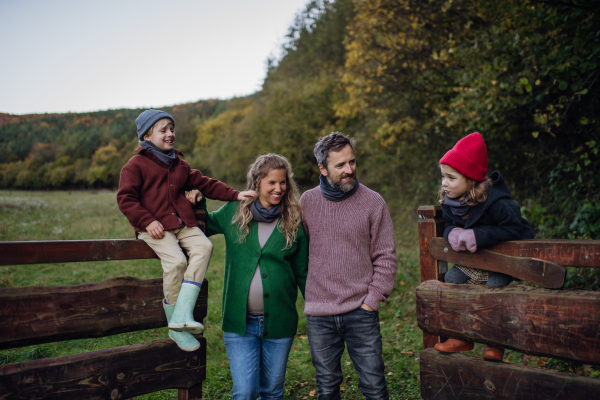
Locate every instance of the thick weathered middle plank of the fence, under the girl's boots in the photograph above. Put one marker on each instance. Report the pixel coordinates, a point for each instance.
(562, 324)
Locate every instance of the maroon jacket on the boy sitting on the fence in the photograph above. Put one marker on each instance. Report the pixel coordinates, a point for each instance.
(150, 191)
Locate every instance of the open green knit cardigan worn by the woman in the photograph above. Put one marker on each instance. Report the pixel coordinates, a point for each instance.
(282, 273)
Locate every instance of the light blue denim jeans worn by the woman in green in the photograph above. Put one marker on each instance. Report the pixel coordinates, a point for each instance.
(257, 365)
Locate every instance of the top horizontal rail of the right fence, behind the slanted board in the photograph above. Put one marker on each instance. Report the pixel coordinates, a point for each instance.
(576, 253)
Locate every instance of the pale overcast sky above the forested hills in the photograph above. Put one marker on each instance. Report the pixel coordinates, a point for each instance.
(84, 55)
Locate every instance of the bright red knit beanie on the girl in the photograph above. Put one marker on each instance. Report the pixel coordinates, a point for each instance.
(469, 157)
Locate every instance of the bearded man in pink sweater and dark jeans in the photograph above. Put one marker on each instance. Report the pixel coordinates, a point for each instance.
(352, 268)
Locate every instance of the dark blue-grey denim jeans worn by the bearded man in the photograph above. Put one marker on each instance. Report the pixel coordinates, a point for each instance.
(359, 331)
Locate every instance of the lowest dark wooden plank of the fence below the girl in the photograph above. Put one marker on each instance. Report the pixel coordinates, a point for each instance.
(457, 376)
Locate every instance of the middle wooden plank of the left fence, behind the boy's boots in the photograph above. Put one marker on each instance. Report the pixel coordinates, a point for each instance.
(35, 315)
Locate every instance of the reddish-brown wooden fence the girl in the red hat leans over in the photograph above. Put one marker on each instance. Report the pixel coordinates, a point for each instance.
(562, 324)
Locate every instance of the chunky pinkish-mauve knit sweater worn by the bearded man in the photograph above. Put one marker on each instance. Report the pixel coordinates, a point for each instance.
(352, 252)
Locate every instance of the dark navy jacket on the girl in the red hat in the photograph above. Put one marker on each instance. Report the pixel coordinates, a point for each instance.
(496, 220)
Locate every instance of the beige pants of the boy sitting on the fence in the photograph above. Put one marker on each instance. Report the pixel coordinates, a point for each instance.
(176, 268)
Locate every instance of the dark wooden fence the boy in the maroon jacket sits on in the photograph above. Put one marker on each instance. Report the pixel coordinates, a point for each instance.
(35, 315)
